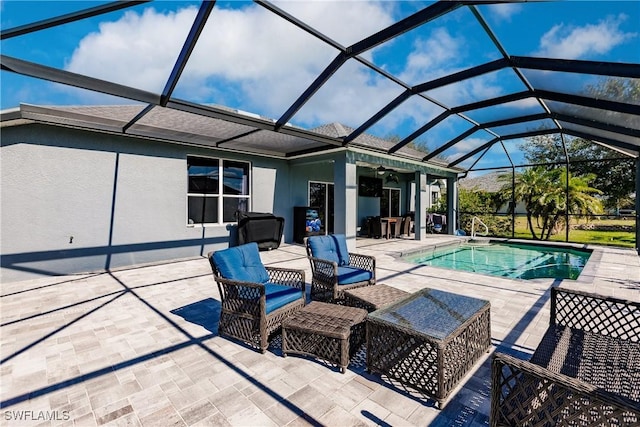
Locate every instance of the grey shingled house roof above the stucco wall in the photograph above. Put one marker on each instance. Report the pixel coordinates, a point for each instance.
(194, 129)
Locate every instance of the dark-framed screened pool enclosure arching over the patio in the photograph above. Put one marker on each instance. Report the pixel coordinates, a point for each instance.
(540, 109)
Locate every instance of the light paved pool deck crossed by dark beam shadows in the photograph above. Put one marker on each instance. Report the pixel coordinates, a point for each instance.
(139, 346)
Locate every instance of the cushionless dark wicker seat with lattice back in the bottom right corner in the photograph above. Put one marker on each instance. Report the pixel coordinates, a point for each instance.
(585, 371)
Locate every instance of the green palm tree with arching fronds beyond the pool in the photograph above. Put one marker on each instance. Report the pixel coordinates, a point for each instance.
(544, 193)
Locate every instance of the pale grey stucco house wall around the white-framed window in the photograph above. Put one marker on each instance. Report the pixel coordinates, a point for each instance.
(77, 201)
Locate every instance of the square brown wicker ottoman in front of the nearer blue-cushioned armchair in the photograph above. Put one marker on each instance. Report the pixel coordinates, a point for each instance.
(327, 331)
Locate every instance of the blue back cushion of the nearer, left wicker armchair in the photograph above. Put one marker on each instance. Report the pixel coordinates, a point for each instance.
(241, 263)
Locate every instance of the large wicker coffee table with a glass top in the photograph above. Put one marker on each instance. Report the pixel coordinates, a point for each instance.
(428, 340)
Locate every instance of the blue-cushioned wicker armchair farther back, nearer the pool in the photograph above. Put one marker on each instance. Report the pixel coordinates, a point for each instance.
(335, 269)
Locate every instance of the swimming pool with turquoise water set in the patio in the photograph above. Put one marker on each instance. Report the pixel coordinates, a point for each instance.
(514, 260)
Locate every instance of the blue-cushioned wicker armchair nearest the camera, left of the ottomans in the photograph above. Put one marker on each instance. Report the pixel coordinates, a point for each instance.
(255, 298)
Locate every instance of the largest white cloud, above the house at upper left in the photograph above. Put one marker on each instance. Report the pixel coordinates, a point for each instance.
(264, 59)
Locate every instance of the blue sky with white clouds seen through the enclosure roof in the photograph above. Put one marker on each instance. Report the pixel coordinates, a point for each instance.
(251, 60)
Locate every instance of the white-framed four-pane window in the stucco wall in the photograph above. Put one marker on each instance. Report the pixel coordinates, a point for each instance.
(218, 188)
